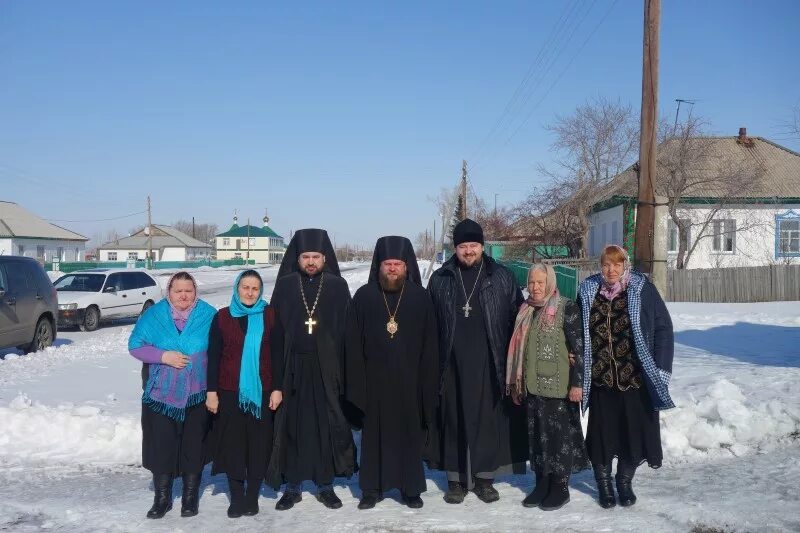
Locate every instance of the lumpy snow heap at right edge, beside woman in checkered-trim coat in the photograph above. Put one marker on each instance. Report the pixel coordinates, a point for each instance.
(721, 420)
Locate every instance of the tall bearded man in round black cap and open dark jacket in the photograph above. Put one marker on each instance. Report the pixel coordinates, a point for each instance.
(480, 435)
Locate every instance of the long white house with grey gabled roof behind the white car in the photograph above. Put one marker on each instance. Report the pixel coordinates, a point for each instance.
(167, 243)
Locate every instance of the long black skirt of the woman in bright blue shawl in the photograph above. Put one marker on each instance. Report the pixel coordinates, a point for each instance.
(173, 447)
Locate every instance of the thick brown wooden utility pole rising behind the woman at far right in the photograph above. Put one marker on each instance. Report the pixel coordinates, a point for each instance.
(644, 246)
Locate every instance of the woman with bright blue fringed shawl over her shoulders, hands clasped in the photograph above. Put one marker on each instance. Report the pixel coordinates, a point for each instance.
(171, 339)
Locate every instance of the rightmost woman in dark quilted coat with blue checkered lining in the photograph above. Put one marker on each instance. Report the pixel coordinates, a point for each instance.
(628, 350)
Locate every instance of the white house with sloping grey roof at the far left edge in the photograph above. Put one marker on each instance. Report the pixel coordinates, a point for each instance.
(23, 233)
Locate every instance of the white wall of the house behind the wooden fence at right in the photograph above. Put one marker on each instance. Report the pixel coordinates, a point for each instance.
(754, 239)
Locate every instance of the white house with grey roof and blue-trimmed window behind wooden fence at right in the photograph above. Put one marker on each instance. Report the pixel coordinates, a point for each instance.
(759, 228)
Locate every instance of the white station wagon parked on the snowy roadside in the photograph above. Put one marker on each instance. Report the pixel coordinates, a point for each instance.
(90, 296)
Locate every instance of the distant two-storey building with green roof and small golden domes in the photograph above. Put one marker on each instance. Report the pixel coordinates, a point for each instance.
(251, 242)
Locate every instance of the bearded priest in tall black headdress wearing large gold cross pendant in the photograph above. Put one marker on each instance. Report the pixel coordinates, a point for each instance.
(313, 440)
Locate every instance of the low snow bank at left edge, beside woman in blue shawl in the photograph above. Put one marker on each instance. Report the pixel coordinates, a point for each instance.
(33, 432)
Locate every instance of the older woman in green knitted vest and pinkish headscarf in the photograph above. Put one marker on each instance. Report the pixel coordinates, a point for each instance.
(545, 370)
